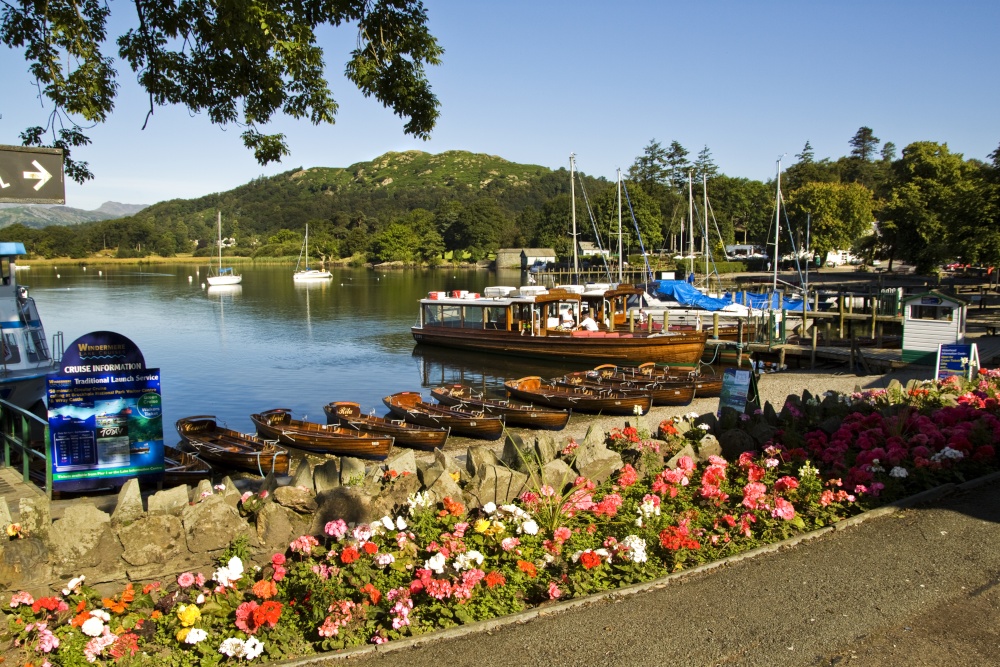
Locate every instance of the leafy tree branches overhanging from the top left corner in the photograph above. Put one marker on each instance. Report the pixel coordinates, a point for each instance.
(240, 63)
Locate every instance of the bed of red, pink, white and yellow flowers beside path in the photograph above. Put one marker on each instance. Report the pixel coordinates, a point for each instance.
(436, 565)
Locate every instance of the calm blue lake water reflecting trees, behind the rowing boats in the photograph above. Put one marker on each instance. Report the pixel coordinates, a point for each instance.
(271, 342)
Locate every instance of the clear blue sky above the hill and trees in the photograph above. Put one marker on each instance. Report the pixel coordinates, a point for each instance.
(535, 81)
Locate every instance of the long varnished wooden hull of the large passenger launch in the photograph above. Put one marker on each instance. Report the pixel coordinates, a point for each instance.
(679, 347)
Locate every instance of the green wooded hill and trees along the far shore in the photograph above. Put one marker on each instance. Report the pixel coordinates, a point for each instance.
(925, 206)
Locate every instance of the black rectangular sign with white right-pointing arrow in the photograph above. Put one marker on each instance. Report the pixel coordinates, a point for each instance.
(31, 175)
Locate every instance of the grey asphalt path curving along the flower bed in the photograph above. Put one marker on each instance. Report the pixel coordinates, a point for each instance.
(914, 587)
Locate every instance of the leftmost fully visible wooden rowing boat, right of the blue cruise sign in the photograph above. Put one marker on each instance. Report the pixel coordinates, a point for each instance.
(229, 449)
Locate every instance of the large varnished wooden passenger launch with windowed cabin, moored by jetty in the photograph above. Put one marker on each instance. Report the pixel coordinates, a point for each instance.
(529, 325)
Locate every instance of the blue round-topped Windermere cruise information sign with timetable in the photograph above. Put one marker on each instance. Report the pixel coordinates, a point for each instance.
(105, 415)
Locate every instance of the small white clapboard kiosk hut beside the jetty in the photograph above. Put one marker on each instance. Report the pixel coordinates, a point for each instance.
(929, 320)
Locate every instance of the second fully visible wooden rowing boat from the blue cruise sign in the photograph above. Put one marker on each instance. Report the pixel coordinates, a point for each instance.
(278, 424)
